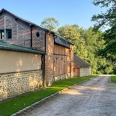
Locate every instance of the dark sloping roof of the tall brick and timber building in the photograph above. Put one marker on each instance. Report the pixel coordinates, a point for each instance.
(58, 39)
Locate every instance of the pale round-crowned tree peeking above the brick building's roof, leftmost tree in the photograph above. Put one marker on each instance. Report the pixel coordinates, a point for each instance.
(50, 24)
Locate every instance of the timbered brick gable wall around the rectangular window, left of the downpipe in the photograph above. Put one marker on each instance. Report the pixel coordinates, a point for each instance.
(20, 32)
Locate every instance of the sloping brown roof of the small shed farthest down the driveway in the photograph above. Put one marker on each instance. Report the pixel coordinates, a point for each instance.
(80, 62)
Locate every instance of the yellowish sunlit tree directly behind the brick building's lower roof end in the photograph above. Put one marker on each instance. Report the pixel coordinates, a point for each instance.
(72, 34)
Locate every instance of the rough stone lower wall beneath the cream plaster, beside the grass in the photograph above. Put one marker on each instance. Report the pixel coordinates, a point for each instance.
(13, 84)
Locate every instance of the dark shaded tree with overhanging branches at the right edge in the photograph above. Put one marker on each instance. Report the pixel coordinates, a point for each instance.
(107, 19)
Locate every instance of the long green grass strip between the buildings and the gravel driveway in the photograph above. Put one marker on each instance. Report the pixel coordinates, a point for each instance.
(9, 107)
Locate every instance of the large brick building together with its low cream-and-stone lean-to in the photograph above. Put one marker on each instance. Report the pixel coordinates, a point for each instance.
(36, 56)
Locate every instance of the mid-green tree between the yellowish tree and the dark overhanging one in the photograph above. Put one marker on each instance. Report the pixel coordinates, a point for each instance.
(93, 43)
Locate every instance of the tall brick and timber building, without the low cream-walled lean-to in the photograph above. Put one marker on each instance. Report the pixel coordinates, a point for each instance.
(58, 52)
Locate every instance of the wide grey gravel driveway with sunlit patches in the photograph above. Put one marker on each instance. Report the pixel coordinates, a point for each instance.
(95, 97)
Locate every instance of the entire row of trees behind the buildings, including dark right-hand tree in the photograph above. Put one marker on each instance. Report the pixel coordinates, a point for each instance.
(93, 45)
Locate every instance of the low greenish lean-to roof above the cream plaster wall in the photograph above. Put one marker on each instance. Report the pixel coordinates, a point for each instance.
(12, 47)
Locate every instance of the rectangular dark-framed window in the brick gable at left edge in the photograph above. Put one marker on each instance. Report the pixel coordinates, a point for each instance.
(8, 33)
